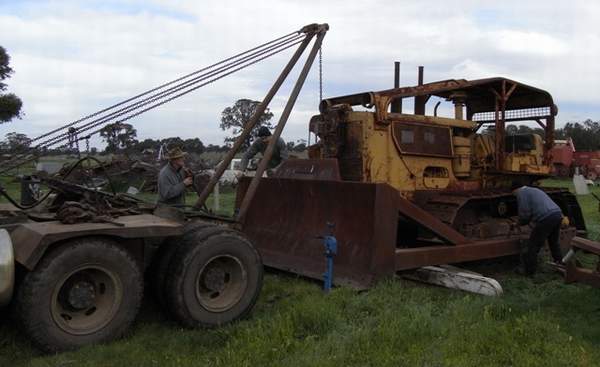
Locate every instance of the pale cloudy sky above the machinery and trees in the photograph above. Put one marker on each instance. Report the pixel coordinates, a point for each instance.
(72, 58)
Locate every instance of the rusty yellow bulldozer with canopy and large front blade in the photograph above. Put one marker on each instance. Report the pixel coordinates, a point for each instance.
(408, 190)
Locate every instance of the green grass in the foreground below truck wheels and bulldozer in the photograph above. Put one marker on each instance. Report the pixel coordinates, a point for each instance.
(539, 322)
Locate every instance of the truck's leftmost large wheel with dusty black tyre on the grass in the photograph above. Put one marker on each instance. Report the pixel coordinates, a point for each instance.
(87, 291)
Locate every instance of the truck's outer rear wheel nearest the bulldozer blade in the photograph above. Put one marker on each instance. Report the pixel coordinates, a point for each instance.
(215, 278)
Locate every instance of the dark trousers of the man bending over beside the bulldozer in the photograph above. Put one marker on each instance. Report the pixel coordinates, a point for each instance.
(548, 228)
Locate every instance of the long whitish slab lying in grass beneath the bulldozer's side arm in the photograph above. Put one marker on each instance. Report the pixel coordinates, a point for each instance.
(456, 278)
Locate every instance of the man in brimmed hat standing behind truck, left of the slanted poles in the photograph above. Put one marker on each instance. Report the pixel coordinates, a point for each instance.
(172, 180)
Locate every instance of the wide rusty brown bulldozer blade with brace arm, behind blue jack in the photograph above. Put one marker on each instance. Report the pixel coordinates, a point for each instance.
(287, 216)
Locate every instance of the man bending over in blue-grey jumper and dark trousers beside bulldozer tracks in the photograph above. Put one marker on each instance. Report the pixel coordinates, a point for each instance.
(537, 207)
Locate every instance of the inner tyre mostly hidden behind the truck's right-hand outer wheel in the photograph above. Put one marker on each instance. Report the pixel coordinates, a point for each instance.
(162, 260)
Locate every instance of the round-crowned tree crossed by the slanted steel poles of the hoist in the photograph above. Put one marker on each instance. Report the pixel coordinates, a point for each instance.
(234, 118)
